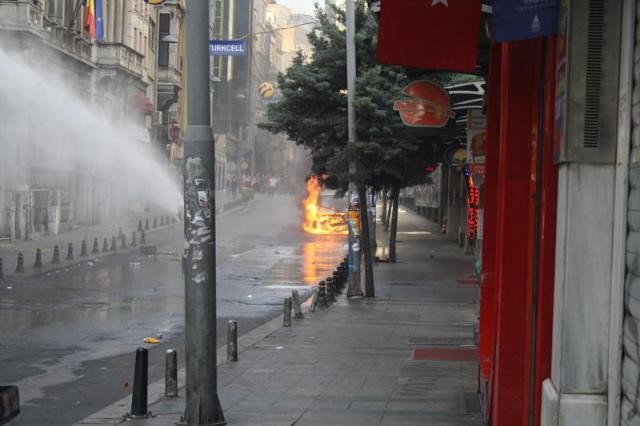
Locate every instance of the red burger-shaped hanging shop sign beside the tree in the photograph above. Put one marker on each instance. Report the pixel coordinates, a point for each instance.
(429, 105)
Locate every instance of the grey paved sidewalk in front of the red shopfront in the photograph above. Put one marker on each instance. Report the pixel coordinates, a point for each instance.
(406, 357)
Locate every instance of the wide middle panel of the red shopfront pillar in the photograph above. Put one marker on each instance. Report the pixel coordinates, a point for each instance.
(510, 385)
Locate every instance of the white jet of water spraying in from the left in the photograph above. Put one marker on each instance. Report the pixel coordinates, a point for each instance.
(43, 119)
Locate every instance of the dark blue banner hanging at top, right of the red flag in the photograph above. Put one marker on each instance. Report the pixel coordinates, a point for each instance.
(524, 19)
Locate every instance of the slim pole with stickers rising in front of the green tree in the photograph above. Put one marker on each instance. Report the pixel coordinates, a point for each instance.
(355, 254)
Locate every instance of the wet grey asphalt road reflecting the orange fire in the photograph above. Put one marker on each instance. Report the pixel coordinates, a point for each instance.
(68, 338)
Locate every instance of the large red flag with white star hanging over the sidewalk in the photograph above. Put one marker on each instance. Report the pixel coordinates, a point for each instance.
(431, 34)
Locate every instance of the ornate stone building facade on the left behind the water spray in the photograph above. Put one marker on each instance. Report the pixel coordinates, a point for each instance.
(116, 72)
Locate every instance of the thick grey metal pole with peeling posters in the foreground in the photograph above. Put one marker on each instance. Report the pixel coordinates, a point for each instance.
(202, 402)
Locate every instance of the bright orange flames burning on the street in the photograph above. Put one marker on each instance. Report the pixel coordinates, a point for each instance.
(318, 219)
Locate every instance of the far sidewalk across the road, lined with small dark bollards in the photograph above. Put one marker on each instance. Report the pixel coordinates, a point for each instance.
(128, 224)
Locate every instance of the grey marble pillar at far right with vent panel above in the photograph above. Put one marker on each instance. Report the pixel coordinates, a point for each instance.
(585, 379)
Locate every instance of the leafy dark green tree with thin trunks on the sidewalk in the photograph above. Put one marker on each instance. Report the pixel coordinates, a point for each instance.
(313, 113)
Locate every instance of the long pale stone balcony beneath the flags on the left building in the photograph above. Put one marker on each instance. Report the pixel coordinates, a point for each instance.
(25, 17)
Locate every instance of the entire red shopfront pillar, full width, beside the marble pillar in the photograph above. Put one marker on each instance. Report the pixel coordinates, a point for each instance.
(519, 223)
